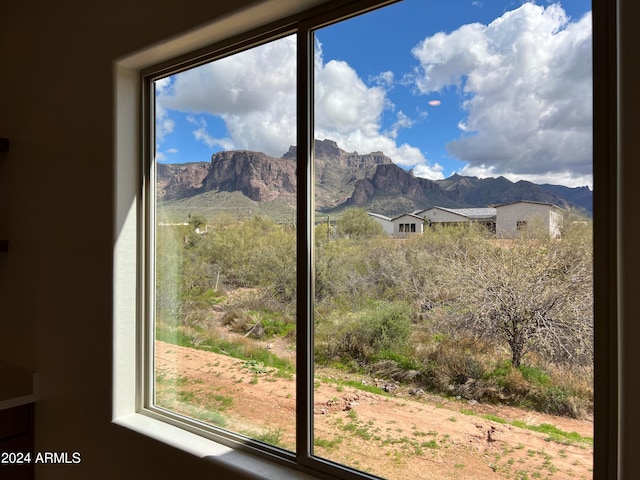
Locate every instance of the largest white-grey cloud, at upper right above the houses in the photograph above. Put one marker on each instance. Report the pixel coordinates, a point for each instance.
(526, 79)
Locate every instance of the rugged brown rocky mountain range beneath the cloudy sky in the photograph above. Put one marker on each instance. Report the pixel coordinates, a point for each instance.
(371, 181)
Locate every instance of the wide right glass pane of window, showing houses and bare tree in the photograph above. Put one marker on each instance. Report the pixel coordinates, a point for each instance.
(453, 255)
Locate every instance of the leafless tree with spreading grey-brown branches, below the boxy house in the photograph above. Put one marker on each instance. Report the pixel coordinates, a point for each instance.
(532, 294)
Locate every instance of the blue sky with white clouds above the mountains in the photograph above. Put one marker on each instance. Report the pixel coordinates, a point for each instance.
(482, 88)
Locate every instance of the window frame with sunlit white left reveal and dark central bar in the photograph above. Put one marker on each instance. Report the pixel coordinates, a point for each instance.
(132, 218)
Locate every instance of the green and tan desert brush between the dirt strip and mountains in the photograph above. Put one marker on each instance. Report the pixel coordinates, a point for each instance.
(454, 311)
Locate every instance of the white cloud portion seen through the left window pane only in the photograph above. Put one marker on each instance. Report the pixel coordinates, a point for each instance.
(252, 91)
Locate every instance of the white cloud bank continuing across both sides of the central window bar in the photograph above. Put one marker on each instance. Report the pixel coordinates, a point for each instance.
(254, 93)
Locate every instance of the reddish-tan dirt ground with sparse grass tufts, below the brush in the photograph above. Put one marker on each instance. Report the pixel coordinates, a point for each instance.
(405, 434)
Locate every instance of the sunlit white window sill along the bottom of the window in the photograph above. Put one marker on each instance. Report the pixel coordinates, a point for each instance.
(244, 463)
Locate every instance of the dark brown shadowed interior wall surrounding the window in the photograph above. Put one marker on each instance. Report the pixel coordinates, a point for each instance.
(56, 208)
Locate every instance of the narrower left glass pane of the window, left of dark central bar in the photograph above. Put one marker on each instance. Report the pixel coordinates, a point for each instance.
(225, 243)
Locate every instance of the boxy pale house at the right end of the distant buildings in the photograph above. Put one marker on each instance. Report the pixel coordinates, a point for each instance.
(512, 218)
